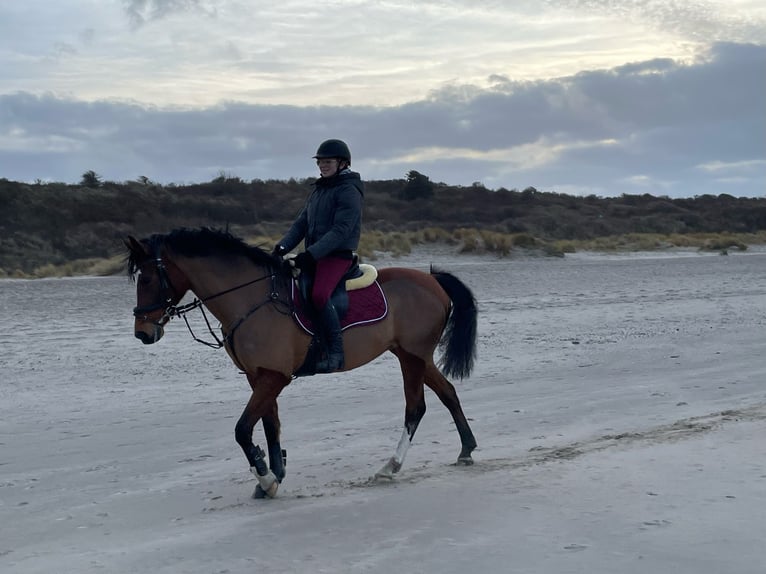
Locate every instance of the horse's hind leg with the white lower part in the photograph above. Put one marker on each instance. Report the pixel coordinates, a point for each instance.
(415, 407)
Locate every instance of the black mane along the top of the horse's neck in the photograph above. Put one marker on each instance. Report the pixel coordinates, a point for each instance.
(202, 242)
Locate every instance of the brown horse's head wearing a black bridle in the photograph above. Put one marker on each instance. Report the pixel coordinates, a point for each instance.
(160, 285)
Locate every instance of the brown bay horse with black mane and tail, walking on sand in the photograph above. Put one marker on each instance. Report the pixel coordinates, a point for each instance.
(248, 290)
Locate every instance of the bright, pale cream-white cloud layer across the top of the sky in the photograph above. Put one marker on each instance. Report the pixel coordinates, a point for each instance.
(203, 52)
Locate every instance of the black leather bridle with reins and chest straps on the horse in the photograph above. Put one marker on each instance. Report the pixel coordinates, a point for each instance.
(167, 293)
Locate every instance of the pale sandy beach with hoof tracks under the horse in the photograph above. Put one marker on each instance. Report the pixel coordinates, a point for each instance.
(618, 402)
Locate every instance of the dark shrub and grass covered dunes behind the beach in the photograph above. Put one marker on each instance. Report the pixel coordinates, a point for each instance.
(51, 229)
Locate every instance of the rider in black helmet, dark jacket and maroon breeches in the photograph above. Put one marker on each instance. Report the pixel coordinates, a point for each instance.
(330, 226)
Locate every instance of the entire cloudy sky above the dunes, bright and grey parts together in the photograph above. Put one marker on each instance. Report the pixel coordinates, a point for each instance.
(573, 96)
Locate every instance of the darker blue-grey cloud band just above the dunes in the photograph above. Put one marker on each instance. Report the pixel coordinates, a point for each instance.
(642, 127)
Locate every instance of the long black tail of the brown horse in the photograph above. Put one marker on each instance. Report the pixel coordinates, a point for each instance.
(458, 342)
